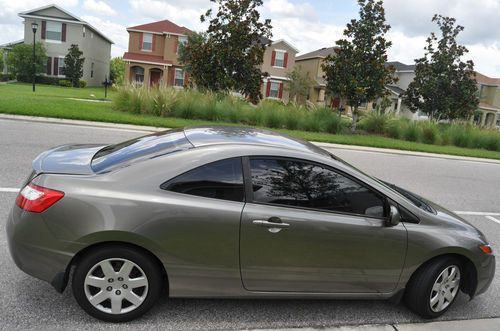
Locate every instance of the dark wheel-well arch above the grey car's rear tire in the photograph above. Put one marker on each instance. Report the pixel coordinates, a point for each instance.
(75, 260)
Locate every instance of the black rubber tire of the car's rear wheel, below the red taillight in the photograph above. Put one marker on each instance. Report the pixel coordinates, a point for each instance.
(146, 264)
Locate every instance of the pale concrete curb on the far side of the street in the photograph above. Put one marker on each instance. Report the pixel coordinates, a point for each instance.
(146, 129)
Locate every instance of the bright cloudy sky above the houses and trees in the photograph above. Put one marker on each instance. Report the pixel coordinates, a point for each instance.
(308, 25)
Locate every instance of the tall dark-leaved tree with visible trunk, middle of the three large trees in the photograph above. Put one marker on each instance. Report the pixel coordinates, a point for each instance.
(356, 71)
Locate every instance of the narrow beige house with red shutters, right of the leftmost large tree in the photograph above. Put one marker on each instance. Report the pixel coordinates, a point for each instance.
(279, 58)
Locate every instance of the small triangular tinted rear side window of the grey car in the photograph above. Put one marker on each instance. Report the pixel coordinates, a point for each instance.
(219, 180)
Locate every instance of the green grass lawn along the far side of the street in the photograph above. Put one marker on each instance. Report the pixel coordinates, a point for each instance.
(50, 101)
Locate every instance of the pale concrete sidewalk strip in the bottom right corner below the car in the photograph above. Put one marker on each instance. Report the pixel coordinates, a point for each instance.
(487, 324)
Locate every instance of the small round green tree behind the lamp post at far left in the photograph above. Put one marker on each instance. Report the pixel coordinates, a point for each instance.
(20, 60)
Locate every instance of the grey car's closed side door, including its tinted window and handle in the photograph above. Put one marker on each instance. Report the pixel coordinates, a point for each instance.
(309, 228)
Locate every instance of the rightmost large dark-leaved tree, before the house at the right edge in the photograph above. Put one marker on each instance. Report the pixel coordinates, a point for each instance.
(444, 86)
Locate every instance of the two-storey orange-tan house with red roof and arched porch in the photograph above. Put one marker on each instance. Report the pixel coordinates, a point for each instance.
(152, 56)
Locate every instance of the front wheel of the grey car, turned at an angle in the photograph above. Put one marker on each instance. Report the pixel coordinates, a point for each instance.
(434, 288)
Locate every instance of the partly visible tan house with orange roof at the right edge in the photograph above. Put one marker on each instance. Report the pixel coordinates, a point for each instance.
(488, 112)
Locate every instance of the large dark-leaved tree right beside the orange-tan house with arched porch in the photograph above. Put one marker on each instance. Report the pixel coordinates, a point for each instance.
(228, 55)
